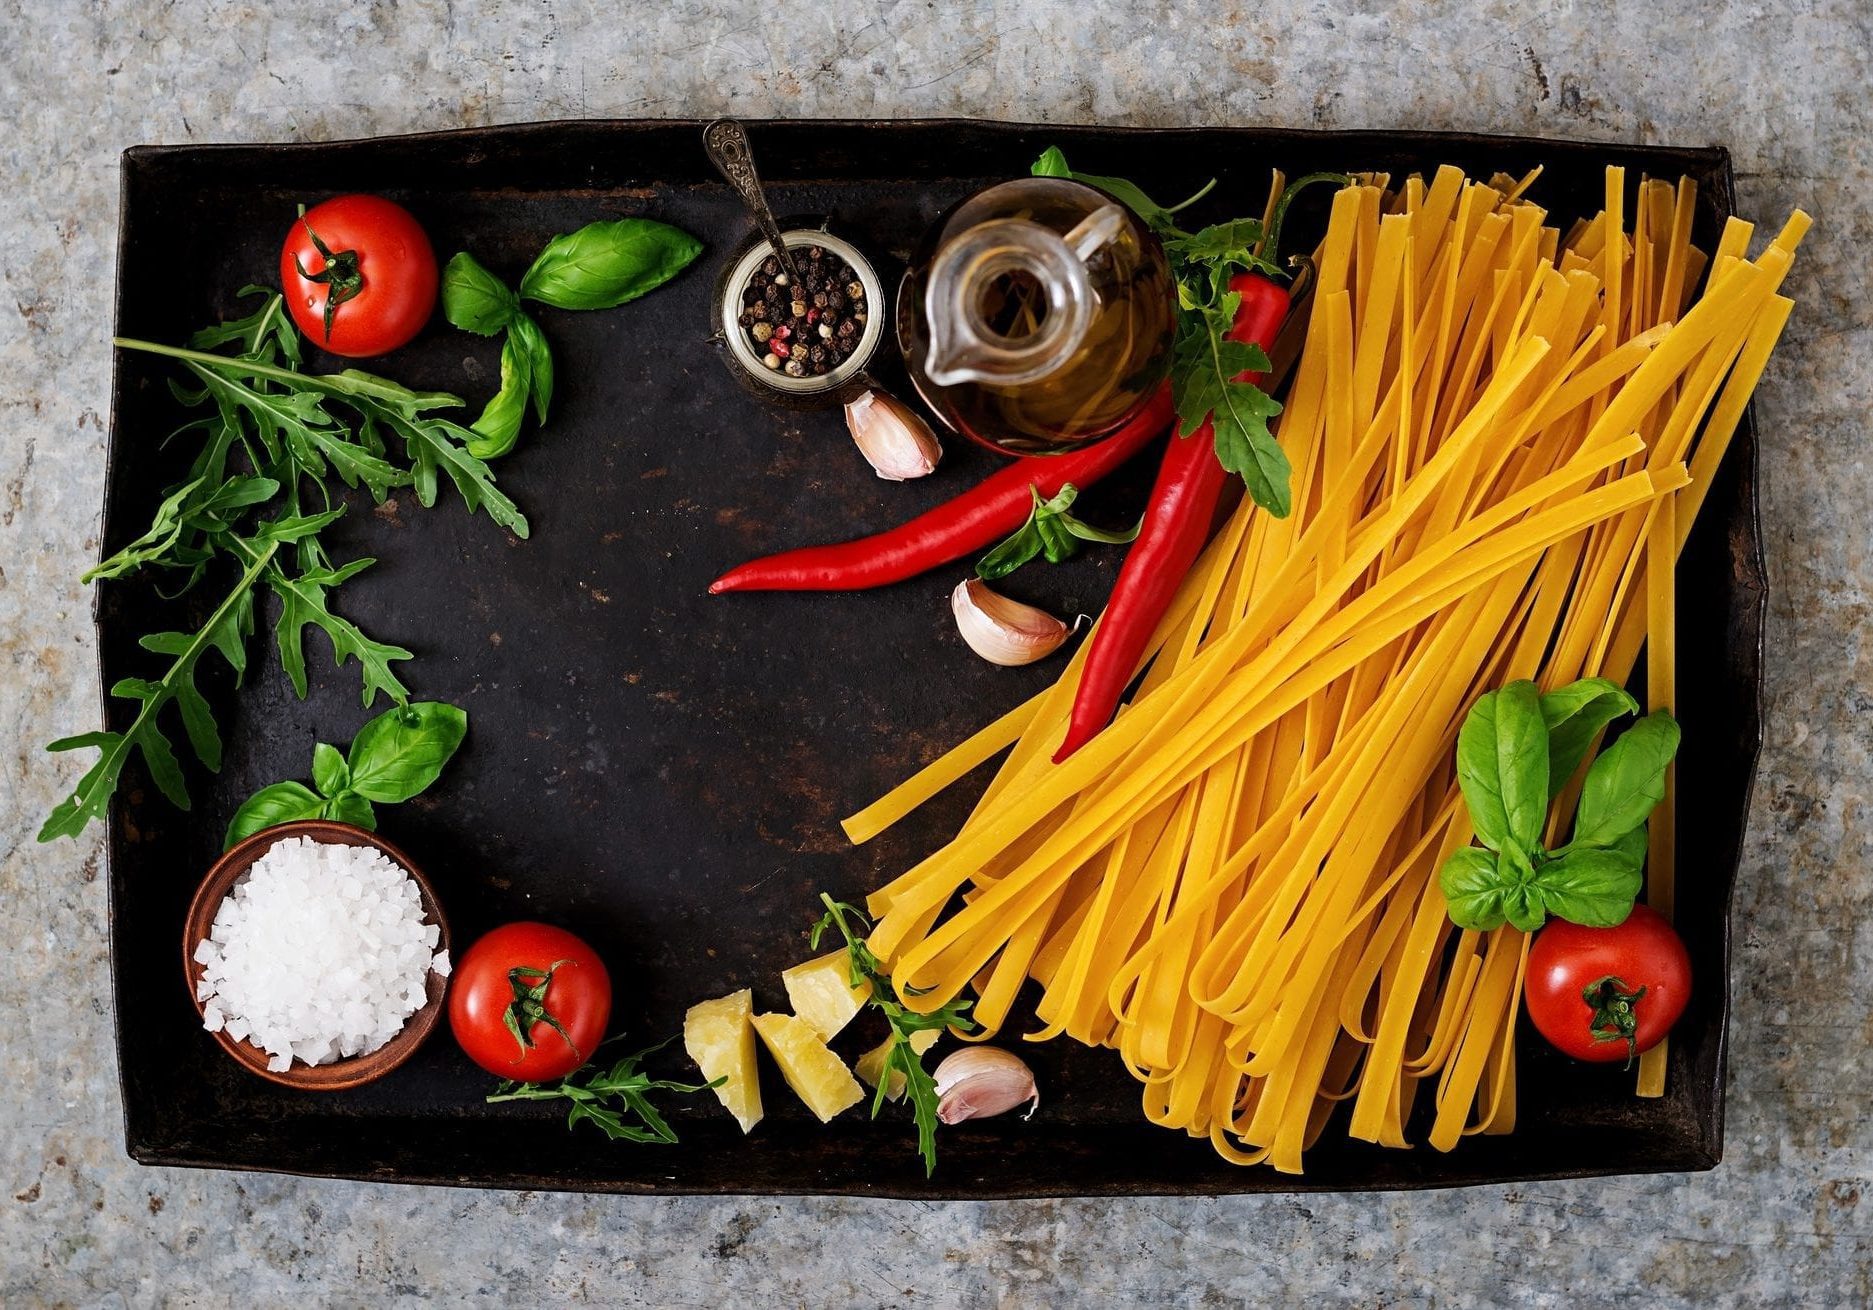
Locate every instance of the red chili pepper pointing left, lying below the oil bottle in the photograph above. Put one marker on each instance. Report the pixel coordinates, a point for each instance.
(975, 520)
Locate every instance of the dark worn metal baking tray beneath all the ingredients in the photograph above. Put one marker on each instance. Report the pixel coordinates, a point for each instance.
(664, 771)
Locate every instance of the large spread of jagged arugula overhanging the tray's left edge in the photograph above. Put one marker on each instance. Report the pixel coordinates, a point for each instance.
(258, 498)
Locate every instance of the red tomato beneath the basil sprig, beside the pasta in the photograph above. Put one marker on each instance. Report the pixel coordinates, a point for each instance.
(1608, 994)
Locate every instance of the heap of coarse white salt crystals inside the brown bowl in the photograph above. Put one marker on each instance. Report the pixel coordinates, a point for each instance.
(319, 953)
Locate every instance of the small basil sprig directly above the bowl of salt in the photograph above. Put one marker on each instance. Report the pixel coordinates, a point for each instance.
(392, 758)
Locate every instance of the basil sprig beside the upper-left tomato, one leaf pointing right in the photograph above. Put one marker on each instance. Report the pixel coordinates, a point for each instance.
(598, 267)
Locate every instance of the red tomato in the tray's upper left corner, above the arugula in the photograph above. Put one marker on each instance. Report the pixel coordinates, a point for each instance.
(374, 284)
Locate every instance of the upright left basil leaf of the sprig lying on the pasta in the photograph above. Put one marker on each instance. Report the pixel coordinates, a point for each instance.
(1503, 767)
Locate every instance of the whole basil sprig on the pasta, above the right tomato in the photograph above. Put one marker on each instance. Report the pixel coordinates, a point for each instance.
(1516, 752)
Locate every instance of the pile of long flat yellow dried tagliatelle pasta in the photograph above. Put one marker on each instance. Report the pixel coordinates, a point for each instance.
(1501, 436)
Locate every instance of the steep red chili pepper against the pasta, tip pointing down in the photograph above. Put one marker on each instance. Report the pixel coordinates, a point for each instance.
(1177, 524)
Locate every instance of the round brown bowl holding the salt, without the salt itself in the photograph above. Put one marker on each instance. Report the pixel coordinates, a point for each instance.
(340, 1075)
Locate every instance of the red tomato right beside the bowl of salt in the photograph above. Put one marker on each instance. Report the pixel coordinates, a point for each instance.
(531, 1004)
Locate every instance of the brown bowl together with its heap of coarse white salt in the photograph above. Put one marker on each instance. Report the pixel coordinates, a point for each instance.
(317, 955)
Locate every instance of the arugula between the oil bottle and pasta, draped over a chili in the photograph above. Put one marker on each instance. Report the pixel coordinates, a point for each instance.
(1209, 370)
